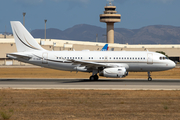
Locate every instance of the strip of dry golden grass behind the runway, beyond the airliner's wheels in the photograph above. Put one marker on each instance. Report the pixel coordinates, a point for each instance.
(50, 73)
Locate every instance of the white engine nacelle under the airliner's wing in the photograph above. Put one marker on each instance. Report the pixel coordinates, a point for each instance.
(118, 72)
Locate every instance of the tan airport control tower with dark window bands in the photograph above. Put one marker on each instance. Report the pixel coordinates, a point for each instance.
(110, 17)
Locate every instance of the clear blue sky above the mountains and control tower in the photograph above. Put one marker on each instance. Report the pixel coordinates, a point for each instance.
(63, 14)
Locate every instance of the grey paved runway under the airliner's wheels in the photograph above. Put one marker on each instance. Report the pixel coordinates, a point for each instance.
(104, 84)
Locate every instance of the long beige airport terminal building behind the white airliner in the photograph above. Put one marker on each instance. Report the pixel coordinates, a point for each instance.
(7, 45)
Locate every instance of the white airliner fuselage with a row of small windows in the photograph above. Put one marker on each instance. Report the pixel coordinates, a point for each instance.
(136, 61)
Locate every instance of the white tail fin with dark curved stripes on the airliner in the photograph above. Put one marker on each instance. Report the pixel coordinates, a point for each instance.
(24, 40)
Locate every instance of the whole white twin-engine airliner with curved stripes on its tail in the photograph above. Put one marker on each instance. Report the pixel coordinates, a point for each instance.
(113, 64)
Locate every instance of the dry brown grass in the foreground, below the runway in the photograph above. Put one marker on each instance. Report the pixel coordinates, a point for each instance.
(89, 104)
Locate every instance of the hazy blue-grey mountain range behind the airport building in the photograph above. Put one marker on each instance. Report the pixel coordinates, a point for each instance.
(155, 34)
